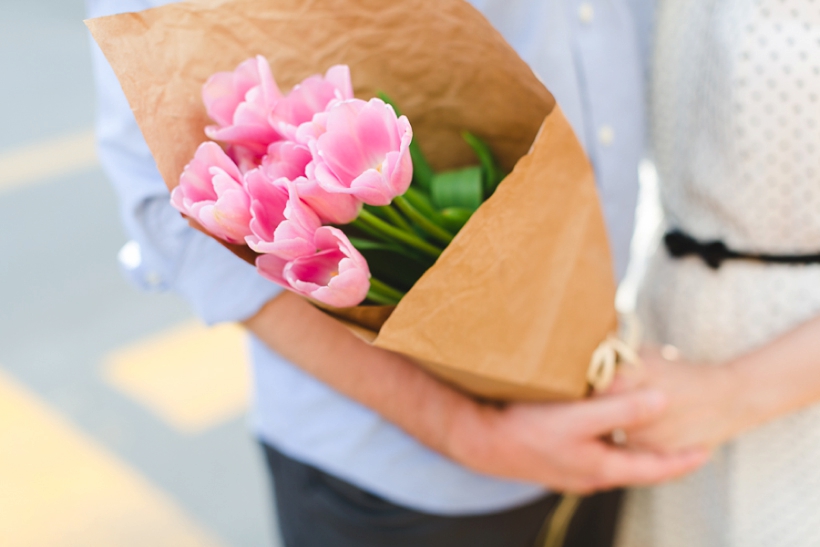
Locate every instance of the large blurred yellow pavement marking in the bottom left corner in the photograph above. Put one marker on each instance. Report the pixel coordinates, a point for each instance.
(58, 488)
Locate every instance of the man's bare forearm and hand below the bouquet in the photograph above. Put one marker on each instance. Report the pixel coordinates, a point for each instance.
(558, 445)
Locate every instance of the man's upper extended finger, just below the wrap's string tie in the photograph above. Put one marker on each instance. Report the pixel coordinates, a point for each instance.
(621, 411)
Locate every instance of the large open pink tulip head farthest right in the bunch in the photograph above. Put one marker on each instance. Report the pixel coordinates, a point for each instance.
(365, 152)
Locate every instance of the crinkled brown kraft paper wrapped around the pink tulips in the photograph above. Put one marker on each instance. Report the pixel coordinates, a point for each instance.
(518, 302)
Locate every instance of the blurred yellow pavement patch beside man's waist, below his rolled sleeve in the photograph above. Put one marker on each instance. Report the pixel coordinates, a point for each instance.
(193, 377)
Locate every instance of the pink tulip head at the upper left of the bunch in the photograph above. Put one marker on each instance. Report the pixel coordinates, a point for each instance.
(240, 102)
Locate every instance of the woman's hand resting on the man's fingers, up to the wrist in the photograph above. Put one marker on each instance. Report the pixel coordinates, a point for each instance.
(705, 403)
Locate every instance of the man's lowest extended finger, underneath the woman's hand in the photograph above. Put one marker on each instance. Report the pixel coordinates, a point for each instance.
(626, 468)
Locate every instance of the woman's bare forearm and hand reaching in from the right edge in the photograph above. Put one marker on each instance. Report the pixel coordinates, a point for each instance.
(710, 404)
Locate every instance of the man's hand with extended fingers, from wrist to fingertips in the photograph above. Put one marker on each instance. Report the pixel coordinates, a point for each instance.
(561, 446)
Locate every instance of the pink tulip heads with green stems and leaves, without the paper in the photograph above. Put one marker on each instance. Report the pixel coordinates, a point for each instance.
(319, 184)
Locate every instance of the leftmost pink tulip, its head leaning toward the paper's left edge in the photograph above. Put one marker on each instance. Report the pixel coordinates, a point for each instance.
(210, 191)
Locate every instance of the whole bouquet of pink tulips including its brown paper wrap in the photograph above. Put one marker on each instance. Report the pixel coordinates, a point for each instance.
(504, 288)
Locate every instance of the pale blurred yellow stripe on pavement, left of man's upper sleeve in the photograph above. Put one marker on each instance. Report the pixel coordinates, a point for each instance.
(46, 159)
